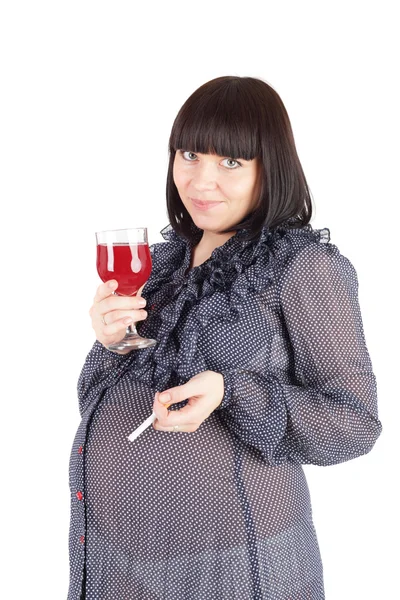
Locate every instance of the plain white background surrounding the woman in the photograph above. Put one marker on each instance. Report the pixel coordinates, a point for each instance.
(89, 92)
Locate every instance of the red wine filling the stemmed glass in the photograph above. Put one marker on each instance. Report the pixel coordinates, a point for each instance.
(129, 264)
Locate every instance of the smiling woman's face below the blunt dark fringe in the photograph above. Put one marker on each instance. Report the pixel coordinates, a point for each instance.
(217, 191)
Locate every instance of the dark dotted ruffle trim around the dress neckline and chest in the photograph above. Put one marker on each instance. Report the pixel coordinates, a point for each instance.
(215, 289)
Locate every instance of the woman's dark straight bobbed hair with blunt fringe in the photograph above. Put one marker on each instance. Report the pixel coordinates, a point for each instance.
(242, 117)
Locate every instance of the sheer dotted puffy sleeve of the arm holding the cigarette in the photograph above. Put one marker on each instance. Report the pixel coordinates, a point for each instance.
(330, 415)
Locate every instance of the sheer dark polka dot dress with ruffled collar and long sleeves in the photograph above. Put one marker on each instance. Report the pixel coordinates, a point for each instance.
(224, 512)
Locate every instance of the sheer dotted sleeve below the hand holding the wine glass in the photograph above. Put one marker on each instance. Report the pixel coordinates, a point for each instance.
(100, 366)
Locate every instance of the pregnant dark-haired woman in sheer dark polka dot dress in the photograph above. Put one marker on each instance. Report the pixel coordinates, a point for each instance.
(260, 366)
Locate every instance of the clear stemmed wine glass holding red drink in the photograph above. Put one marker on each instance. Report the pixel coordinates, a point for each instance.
(124, 255)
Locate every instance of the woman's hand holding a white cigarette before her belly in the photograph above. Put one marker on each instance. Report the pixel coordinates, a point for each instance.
(204, 392)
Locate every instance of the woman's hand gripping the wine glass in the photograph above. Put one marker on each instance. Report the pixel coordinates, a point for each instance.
(117, 311)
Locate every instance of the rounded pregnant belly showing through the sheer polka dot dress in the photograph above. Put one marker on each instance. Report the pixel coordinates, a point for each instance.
(201, 490)
